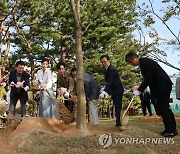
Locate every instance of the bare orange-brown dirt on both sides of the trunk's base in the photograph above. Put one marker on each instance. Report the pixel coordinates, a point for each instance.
(20, 131)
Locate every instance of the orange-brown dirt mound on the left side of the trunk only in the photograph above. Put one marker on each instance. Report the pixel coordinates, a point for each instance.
(19, 131)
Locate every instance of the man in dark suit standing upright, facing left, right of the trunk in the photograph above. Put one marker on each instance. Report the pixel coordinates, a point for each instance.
(114, 87)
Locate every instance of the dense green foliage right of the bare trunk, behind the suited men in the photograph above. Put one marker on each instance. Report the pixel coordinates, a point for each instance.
(108, 30)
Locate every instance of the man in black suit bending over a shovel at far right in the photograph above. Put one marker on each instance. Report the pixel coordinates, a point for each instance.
(160, 86)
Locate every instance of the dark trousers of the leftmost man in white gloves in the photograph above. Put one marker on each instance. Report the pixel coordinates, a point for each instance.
(13, 102)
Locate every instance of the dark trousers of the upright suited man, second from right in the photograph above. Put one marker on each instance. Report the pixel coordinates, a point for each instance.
(117, 101)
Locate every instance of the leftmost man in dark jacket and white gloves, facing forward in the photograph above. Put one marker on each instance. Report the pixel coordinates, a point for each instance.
(19, 82)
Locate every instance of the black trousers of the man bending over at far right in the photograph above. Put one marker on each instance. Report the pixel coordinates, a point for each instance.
(161, 105)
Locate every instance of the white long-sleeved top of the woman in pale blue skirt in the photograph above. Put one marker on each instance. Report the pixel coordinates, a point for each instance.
(45, 77)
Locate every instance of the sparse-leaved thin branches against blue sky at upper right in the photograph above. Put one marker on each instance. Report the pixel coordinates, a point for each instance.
(147, 15)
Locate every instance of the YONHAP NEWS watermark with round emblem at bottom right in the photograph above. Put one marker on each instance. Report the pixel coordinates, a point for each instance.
(105, 140)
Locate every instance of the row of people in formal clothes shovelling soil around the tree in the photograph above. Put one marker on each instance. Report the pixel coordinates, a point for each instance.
(154, 77)
